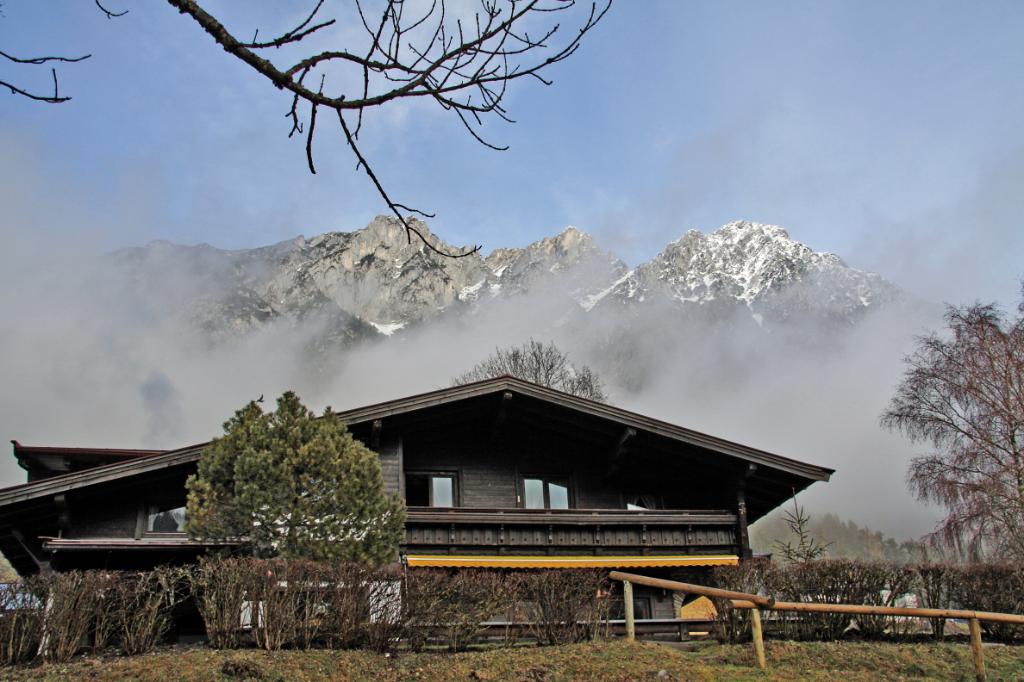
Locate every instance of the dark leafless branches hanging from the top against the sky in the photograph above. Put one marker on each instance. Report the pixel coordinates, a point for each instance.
(462, 63)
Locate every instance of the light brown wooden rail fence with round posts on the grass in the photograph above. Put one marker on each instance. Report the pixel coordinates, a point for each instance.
(755, 604)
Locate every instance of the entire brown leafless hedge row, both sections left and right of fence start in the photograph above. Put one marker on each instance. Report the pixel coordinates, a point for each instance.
(277, 604)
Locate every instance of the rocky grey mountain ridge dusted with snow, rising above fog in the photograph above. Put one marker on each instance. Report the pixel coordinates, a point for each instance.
(373, 282)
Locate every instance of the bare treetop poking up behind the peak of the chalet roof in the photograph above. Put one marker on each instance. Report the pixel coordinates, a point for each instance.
(541, 364)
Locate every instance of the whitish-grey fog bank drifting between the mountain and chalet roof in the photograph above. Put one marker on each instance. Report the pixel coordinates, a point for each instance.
(90, 358)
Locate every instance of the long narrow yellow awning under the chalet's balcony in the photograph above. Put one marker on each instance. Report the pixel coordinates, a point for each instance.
(451, 561)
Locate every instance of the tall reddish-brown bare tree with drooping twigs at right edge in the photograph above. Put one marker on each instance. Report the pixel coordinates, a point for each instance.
(963, 394)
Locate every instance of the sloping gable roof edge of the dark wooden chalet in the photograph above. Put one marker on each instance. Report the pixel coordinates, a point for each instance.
(150, 463)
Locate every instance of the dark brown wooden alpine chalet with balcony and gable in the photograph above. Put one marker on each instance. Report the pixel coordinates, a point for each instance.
(498, 474)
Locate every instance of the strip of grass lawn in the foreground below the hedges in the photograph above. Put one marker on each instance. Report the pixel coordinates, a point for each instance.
(605, 661)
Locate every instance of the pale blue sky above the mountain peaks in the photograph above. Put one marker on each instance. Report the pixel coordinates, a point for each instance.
(886, 133)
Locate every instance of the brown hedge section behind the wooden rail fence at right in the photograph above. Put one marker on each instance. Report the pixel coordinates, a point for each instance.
(989, 587)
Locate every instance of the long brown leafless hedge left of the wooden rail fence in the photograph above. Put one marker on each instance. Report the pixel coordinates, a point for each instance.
(278, 604)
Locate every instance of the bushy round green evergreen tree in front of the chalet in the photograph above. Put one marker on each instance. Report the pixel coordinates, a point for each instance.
(294, 486)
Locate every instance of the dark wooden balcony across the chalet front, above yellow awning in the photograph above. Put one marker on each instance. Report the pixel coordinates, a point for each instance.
(475, 531)
